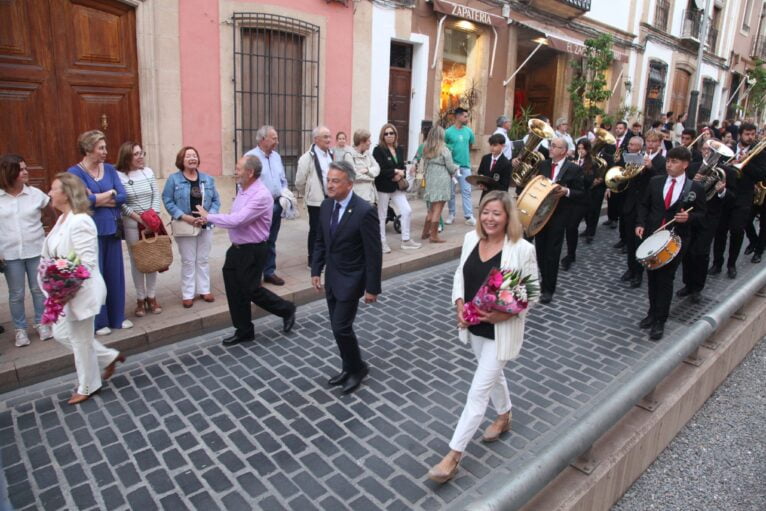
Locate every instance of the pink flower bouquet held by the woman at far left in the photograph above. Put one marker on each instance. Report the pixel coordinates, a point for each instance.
(61, 279)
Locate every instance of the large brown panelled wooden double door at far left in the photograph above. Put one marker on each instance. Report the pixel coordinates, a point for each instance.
(66, 66)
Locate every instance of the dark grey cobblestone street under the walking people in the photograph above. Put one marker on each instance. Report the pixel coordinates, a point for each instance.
(198, 426)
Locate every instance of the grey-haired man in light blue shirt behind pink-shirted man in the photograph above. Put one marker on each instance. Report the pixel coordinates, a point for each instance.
(273, 176)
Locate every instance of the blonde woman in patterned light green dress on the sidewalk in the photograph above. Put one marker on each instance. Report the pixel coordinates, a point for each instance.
(439, 169)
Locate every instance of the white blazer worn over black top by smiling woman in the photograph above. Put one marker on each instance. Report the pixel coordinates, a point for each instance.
(519, 255)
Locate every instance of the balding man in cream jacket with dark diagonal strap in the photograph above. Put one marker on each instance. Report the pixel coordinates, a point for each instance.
(311, 179)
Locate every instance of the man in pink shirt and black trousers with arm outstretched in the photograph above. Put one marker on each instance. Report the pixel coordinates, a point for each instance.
(248, 225)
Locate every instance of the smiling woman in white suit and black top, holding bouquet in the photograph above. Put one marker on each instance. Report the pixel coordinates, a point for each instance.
(497, 242)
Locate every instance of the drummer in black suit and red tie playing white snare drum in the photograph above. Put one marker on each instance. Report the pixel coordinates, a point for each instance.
(668, 198)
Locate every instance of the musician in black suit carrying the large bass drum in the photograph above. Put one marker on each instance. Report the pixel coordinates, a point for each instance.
(549, 240)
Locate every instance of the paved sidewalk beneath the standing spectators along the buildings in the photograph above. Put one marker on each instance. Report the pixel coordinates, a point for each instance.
(41, 360)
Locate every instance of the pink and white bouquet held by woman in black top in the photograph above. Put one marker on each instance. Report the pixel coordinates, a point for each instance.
(504, 290)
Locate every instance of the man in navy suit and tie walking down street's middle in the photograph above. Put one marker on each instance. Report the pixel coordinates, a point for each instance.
(349, 249)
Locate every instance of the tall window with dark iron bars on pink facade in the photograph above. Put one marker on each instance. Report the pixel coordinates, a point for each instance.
(276, 82)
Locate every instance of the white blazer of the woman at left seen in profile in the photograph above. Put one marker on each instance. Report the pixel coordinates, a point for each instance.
(76, 233)
